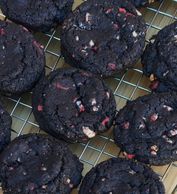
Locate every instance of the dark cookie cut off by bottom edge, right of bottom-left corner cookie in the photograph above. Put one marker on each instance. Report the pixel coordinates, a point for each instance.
(121, 176)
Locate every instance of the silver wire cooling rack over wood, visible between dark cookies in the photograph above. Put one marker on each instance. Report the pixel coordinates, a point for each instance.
(127, 86)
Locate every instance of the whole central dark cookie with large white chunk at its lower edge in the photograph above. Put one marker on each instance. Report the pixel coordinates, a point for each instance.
(73, 104)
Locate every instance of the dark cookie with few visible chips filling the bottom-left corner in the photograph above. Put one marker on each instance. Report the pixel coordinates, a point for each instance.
(39, 164)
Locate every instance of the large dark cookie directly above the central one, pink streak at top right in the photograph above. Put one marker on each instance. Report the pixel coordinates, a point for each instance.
(104, 37)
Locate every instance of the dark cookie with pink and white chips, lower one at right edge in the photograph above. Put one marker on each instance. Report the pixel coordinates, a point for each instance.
(146, 128)
